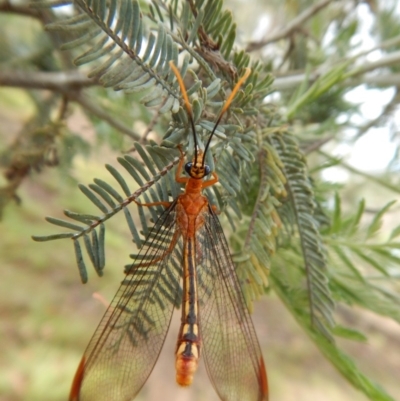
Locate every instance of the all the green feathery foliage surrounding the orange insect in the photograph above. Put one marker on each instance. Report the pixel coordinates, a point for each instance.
(283, 235)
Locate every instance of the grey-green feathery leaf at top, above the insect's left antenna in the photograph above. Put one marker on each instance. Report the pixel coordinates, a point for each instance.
(114, 35)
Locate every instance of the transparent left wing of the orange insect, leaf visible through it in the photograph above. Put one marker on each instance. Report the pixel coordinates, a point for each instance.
(129, 338)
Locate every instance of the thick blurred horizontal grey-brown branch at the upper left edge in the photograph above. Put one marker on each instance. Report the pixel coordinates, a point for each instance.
(55, 81)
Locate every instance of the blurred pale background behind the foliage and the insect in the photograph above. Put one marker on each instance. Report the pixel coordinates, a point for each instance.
(47, 316)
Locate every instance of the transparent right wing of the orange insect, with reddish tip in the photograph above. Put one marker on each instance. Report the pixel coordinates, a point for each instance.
(231, 350)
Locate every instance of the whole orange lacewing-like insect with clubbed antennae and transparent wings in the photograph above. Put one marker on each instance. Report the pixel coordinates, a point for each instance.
(186, 245)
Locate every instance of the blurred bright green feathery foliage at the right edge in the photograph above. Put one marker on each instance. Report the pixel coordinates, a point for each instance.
(363, 264)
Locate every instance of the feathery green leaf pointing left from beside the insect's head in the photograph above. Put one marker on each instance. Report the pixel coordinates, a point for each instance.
(110, 201)
